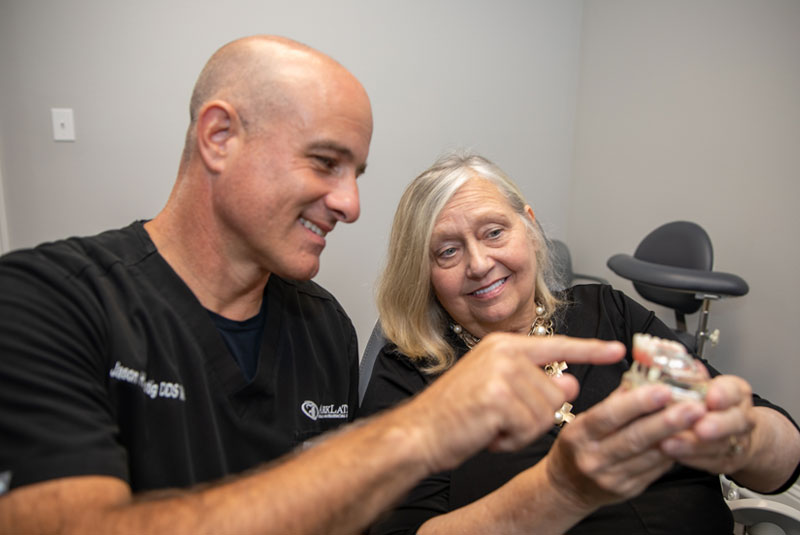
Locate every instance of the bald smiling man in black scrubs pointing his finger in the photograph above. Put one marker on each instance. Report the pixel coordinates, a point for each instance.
(148, 375)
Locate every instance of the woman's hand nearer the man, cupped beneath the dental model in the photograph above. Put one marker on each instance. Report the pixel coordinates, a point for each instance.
(612, 451)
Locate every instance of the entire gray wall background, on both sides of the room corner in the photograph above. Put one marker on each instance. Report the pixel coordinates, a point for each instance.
(614, 116)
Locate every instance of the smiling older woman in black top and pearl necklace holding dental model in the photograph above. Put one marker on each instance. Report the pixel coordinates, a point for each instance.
(466, 259)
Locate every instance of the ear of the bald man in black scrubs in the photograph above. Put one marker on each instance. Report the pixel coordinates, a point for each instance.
(218, 129)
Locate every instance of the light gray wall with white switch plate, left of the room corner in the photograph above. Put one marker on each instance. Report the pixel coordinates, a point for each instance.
(499, 78)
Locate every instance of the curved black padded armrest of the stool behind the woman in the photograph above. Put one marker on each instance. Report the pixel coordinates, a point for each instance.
(677, 278)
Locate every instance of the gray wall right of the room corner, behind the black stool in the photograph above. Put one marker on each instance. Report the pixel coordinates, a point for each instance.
(691, 110)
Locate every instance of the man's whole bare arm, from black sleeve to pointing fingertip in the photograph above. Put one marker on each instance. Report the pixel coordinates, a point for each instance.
(498, 391)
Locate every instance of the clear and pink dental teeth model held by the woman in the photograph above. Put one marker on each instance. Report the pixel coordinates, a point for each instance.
(656, 360)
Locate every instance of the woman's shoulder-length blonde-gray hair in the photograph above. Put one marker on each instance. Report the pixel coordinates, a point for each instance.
(411, 316)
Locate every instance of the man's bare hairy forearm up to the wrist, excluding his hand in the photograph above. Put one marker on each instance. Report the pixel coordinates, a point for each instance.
(338, 486)
